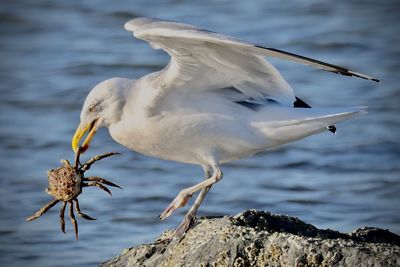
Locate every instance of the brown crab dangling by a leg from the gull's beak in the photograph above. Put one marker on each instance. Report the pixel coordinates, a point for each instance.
(65, 185)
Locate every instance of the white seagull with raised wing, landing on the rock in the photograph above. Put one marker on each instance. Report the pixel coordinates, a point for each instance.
(216, 101)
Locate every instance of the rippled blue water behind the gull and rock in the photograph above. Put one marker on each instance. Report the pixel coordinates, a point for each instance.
(53, 53)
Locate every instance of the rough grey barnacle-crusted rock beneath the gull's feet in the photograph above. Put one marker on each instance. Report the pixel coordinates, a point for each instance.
(258, 238)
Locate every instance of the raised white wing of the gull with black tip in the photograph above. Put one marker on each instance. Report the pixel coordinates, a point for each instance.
(205, 60)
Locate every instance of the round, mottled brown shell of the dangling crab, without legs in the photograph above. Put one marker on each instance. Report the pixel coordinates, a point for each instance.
(64, 182)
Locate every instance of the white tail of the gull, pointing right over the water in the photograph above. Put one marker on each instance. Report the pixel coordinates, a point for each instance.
(283, 125)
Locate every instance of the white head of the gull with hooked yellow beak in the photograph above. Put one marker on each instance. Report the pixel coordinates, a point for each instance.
(102, 107)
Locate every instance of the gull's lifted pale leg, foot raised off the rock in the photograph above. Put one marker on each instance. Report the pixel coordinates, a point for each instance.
(182, 198)
